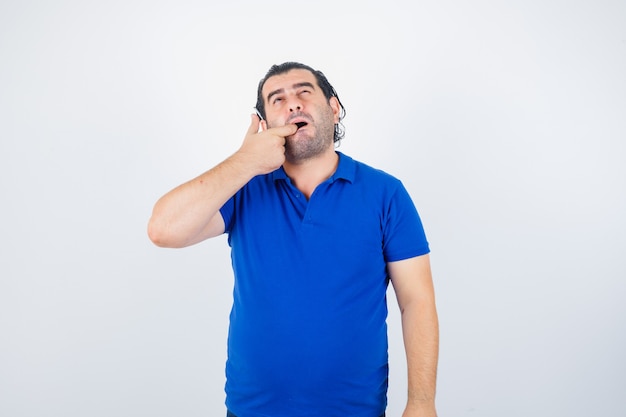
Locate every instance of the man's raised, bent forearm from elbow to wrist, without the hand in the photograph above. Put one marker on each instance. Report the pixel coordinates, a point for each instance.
(187, 214)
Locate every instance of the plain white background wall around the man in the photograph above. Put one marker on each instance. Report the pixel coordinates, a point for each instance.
(505, 120)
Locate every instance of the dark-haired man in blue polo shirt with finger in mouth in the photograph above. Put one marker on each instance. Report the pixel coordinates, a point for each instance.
(315, 239)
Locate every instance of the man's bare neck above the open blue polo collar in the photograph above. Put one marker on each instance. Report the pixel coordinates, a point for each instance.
(308, 174)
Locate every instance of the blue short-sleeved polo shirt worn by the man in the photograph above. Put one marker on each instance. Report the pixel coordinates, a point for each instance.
(307, 333)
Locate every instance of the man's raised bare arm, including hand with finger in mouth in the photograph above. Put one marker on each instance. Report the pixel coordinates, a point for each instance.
(190, 212)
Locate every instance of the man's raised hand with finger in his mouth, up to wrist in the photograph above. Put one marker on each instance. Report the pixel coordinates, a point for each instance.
(264, 150)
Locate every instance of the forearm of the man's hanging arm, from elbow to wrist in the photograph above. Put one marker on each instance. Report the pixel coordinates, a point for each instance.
(421, 339)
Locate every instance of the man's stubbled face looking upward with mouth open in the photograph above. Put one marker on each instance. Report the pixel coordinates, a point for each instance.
(295, 97)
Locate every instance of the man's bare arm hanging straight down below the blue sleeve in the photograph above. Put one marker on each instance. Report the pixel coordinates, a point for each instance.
(413, 285)
